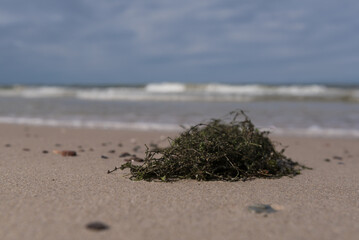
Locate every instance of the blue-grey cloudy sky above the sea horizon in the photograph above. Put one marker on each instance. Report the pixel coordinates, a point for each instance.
(141, 41)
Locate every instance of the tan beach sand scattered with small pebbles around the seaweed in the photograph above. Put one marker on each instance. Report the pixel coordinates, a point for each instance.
(47, 196)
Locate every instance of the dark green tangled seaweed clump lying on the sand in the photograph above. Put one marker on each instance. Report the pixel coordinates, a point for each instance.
(217, 150)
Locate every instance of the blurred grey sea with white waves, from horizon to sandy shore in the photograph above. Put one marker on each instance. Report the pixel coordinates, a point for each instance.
(284, 109)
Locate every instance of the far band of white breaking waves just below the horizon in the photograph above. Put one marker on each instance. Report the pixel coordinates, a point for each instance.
(190, 92)
